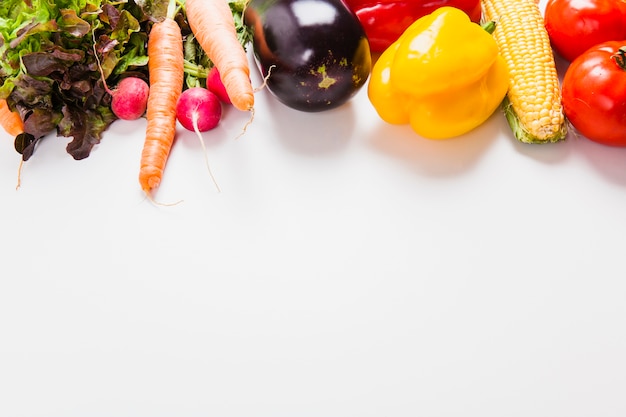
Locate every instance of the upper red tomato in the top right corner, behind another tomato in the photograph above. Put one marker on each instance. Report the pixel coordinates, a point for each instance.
(576, 25)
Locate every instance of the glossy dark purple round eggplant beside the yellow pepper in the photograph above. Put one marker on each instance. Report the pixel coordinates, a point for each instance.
(314, 54)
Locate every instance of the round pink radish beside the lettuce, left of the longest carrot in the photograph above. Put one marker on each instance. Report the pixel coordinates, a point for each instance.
(130, 98)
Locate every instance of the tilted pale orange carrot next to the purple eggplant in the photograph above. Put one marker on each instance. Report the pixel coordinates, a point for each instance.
(212, 23)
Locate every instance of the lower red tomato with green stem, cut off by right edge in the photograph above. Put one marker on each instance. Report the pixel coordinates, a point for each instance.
(594, 93)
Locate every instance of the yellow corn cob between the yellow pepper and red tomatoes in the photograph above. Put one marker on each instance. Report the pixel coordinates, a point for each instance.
(532, 106)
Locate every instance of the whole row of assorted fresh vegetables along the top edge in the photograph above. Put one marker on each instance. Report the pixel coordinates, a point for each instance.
(73, 67)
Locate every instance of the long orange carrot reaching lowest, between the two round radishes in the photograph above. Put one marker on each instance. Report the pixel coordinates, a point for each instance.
(165, 66)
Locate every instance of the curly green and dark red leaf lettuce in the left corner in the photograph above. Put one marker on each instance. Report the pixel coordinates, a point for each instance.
(56, 59)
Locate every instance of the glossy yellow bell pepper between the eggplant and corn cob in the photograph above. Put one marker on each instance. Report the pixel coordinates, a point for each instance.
(443, 76)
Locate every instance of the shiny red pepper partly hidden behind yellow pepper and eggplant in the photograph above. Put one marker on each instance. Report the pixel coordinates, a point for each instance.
(385, 20)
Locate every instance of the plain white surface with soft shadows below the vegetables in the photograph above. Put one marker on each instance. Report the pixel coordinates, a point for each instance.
(346, 268)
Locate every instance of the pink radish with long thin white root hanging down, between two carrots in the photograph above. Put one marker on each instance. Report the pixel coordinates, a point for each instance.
(198, 109)
